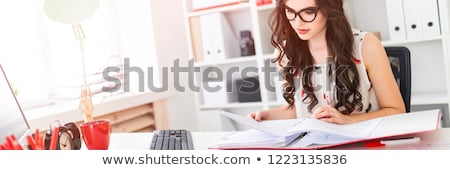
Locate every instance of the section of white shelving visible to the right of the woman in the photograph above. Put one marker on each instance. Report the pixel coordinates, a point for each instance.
(429, 55)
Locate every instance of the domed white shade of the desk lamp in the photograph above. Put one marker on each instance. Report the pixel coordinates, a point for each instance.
(70, 11)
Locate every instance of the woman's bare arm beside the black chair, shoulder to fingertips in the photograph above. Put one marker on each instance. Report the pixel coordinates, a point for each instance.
(388, 94)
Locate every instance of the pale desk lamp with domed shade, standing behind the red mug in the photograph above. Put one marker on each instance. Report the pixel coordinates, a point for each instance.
(73, 12)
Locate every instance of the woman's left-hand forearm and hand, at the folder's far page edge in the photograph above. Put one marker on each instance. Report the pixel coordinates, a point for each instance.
(282, 112)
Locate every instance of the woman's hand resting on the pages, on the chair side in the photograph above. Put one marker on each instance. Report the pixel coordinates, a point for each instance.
(331, 115)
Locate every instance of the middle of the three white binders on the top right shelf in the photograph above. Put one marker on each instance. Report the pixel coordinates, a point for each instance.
(413, 18)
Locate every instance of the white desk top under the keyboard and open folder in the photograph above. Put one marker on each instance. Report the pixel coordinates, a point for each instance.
(439, 139)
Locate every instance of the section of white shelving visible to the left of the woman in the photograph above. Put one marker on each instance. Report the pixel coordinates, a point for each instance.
(243, 16)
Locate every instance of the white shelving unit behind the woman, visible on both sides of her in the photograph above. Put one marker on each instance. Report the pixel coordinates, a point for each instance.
(430, 55)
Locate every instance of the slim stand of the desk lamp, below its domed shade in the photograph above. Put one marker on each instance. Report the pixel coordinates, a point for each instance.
(86, 106)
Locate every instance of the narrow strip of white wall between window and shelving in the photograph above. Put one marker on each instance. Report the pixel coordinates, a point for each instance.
(171, 44)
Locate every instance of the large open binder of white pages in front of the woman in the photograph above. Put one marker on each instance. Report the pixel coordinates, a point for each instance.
(308, 133)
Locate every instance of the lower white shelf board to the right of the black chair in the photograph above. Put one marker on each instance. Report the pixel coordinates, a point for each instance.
(429, 98)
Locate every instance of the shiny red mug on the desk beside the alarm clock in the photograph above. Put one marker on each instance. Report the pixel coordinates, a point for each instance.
(96, 134)
